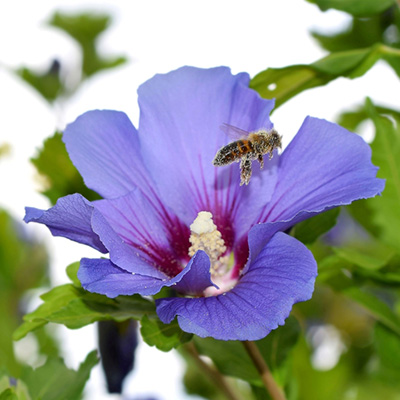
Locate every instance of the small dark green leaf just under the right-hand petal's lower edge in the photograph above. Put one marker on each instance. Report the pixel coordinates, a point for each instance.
(311, 229)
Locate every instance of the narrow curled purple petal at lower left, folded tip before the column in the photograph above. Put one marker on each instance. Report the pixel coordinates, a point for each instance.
(104, 277)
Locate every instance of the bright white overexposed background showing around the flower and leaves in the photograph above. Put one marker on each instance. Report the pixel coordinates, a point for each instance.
(156, 36)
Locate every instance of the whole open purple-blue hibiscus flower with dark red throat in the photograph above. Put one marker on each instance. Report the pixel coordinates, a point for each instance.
(170, 218)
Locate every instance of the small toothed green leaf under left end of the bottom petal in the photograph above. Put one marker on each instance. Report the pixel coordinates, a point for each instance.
(163, 336)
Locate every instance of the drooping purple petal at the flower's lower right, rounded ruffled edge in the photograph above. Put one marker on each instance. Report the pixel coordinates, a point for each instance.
(283, 274)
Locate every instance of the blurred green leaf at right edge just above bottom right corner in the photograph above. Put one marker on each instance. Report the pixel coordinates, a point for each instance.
(388, 346)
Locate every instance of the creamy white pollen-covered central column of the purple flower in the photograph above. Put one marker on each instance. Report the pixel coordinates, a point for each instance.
(205, 236)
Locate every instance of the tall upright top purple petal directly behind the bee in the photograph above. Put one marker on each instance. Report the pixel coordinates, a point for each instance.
(181, 115)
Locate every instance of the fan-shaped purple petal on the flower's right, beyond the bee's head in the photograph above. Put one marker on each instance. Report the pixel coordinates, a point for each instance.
(323, 167)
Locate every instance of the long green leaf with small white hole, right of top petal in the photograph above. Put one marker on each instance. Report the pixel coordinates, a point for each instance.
(284, 83)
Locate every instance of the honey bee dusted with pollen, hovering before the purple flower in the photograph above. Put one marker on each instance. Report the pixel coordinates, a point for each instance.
(250, 146)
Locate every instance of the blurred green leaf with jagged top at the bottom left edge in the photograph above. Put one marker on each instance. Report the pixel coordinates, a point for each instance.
(54, 381)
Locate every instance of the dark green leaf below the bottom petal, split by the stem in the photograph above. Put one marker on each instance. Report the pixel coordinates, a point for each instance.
(231, 358)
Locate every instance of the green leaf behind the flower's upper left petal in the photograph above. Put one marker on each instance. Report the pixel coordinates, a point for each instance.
(62, 177)
